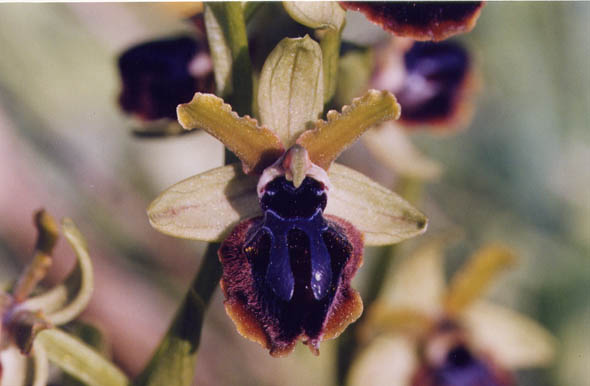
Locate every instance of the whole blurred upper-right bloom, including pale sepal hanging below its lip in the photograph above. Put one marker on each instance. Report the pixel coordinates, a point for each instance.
(435, 85)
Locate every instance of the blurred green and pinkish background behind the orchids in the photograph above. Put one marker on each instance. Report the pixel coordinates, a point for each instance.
(519, 174)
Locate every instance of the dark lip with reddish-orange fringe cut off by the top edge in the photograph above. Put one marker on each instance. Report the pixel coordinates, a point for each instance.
(436, 20)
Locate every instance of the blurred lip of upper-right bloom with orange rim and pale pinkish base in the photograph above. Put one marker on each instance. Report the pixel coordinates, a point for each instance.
(434, 83)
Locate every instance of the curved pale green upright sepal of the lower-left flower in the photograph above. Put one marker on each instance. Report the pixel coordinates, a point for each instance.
(65, 301)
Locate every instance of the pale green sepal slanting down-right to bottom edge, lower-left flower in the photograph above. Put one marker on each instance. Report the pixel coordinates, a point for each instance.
(79, 360)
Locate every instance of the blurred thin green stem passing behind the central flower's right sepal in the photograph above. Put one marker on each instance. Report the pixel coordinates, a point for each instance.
(348, 346)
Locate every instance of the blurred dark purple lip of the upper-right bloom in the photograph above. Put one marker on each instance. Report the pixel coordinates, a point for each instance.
(432, 89)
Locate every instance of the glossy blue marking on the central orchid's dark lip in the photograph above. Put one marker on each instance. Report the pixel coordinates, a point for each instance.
(286, 210)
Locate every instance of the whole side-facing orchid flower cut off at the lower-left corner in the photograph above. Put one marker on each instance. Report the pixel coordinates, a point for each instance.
(28, 323)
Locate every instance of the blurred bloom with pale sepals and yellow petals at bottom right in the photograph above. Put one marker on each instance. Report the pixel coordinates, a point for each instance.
(432, 335)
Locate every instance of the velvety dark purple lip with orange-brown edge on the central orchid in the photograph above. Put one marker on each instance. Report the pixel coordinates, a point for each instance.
(287, 274)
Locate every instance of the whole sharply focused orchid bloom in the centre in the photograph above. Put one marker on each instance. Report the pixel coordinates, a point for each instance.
(292, 223)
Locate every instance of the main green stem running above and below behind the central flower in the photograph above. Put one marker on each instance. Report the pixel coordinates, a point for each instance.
(173, 363)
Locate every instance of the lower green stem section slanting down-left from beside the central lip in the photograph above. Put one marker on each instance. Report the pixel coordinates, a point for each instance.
(173, 363)
